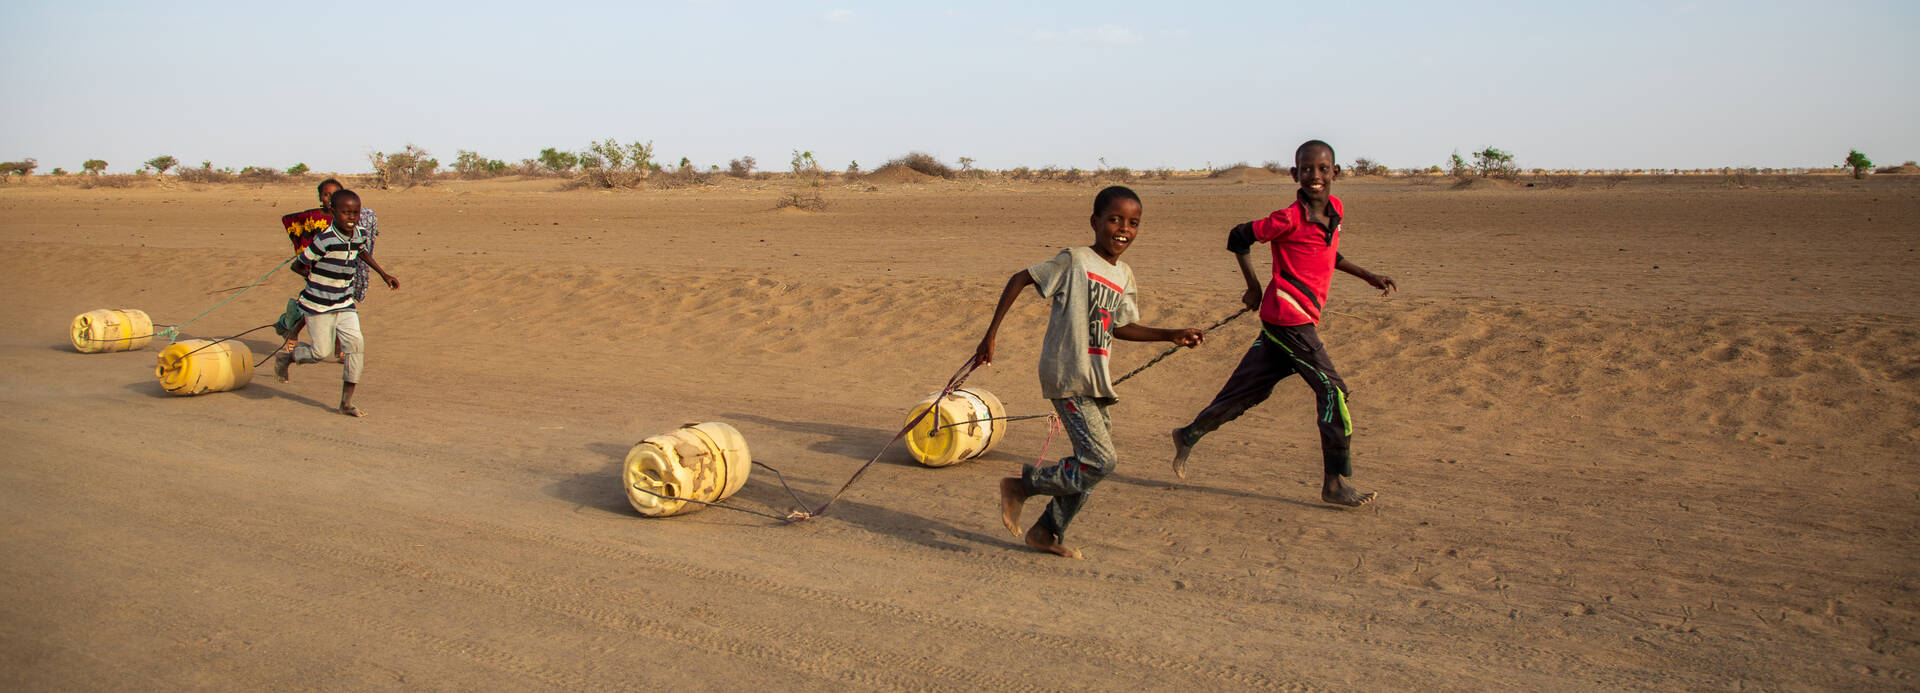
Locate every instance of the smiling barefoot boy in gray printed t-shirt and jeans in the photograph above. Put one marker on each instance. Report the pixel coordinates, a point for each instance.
(1092, 295)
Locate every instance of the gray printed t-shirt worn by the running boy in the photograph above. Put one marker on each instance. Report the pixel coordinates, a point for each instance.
(1092, 299)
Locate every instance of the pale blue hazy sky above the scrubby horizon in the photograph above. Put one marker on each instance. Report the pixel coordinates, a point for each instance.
(1007, 84)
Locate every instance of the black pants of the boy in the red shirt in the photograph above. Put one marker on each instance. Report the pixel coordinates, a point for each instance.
(1278, 354)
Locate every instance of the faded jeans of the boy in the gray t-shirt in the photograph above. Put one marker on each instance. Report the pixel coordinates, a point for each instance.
(1093, 458)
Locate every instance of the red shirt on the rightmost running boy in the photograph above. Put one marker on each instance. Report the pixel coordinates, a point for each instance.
(1305, 256)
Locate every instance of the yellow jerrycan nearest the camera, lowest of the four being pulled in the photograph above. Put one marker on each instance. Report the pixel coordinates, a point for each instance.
(698, 462)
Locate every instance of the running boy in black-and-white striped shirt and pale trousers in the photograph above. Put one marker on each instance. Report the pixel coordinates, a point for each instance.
(329, 264)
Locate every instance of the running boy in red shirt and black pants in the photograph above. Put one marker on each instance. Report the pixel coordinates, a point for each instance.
(1307, 251)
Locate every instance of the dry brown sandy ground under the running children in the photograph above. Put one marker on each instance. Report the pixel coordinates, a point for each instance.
(1650, 437)
